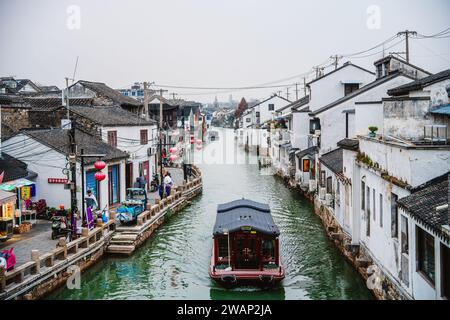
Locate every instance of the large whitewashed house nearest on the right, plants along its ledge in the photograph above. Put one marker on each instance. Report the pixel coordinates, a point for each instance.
(390, 166)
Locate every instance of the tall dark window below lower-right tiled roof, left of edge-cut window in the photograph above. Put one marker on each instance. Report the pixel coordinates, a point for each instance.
(425, 254)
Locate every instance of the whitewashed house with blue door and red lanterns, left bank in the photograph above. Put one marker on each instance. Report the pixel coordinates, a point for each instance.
(46, 151)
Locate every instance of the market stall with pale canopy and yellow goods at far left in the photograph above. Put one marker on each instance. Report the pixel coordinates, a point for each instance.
(24, 190)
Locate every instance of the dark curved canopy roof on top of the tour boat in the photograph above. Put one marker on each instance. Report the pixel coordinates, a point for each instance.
(244, 215)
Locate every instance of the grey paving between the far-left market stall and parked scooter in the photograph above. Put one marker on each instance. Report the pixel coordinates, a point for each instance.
(38, 238)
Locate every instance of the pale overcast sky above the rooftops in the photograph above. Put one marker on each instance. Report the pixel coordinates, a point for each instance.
(208, 43)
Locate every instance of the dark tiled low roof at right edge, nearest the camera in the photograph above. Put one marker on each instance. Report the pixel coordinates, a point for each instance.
(421, 204)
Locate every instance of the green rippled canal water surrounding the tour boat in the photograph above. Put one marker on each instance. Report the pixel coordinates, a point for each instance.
(174, 262)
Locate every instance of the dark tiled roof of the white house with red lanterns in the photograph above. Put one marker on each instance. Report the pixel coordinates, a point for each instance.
(58, 139)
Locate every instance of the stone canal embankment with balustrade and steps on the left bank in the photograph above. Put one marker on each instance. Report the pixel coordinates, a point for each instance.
(45, 273)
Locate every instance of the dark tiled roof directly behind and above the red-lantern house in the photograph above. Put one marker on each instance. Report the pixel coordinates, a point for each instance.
(110, 116)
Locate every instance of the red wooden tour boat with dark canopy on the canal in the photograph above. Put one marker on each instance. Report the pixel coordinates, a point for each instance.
(246, 247)
